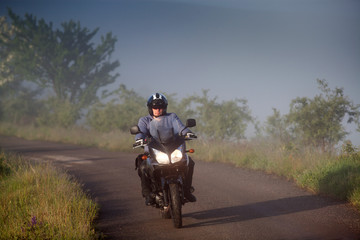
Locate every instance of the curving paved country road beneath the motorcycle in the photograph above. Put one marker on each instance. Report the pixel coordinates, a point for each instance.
(232, 203)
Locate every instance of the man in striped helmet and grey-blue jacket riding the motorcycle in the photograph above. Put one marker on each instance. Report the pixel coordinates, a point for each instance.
(157, 106)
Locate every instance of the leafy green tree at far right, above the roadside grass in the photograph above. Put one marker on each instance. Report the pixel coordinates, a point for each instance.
(318, 121)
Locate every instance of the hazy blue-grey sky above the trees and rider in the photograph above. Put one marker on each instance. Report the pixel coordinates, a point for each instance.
(268, 52)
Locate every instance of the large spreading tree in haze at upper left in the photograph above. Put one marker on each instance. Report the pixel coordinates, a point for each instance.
(63, 60)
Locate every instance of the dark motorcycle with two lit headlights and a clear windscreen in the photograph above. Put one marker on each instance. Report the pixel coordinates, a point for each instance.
(168, 160)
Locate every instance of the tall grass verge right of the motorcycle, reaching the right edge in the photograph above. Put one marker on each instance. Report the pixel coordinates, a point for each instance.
(335, 175)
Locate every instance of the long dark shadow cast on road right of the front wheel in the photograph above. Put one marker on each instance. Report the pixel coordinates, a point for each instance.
(258, 210)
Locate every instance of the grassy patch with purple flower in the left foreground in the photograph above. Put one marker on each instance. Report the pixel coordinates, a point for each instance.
(38, 201)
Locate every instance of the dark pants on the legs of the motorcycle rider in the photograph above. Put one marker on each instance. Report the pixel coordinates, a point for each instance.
(144, 174)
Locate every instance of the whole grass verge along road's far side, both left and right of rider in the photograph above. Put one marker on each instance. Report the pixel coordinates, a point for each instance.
(330, 174)
